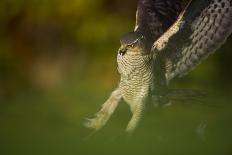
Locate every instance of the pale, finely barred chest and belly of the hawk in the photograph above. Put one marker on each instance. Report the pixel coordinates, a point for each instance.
(136, 78)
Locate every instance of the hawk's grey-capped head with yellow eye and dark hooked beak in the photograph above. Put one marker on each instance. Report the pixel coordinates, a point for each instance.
(133, 43)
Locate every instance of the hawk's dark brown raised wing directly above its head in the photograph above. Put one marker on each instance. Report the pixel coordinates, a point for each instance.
(154, 17)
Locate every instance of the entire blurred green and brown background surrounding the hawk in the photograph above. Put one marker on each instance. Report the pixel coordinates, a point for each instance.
(58, 65)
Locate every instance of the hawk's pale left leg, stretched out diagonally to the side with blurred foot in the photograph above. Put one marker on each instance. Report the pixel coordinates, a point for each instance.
(106, 111)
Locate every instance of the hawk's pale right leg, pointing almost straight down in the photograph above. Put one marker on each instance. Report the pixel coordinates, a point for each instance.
(136, 115)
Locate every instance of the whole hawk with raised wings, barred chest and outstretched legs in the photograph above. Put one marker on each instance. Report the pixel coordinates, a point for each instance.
(165, 43)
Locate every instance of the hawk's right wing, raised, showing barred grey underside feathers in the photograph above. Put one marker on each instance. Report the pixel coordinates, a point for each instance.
(199, 30)
